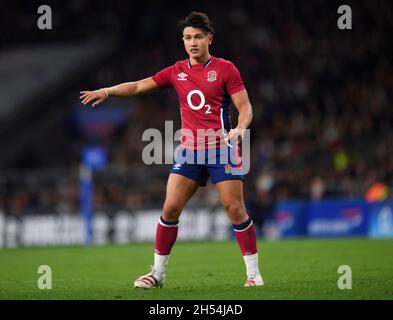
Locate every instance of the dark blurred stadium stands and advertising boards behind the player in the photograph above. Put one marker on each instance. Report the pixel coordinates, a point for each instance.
(321, 162)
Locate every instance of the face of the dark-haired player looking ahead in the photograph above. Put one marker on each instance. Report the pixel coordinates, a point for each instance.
(196, 42)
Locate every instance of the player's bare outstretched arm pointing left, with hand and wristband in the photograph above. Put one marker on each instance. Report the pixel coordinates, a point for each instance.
(126, 89)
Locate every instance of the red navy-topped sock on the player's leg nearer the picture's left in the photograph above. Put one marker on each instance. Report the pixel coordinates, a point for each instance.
(166, 235)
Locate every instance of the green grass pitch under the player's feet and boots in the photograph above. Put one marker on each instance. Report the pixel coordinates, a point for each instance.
(292, 269)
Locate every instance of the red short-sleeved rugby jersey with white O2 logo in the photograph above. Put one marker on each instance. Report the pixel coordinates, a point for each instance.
(204, 92)
